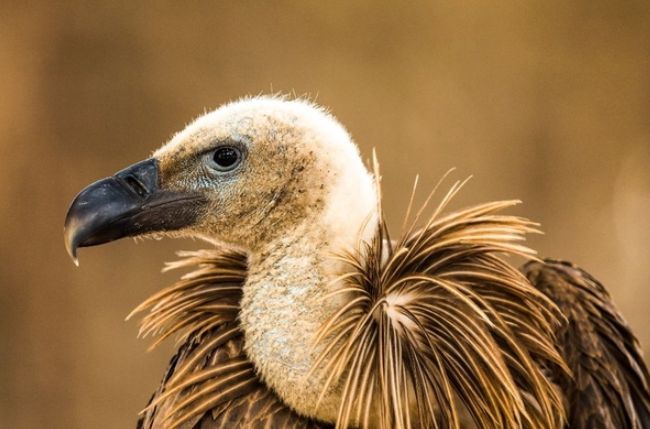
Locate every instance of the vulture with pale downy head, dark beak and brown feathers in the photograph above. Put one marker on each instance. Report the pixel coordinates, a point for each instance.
(305, 312)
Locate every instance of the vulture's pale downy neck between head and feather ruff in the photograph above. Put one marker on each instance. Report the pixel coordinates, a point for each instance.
(285, 299)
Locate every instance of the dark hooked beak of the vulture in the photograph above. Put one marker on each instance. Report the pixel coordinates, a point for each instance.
(128, 204)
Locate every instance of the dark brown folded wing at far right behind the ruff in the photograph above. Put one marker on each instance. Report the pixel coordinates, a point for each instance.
(609, 388)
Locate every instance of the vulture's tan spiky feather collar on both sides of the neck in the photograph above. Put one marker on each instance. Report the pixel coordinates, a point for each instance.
(435, 320)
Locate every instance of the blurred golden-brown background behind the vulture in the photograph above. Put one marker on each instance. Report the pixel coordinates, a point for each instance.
(547, 101)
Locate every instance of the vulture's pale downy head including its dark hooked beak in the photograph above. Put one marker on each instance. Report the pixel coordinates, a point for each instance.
(245, 174)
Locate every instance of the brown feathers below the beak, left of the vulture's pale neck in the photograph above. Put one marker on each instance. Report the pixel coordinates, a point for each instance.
(210, 383)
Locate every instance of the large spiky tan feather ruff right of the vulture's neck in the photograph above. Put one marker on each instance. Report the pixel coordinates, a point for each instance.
(438, 321)
